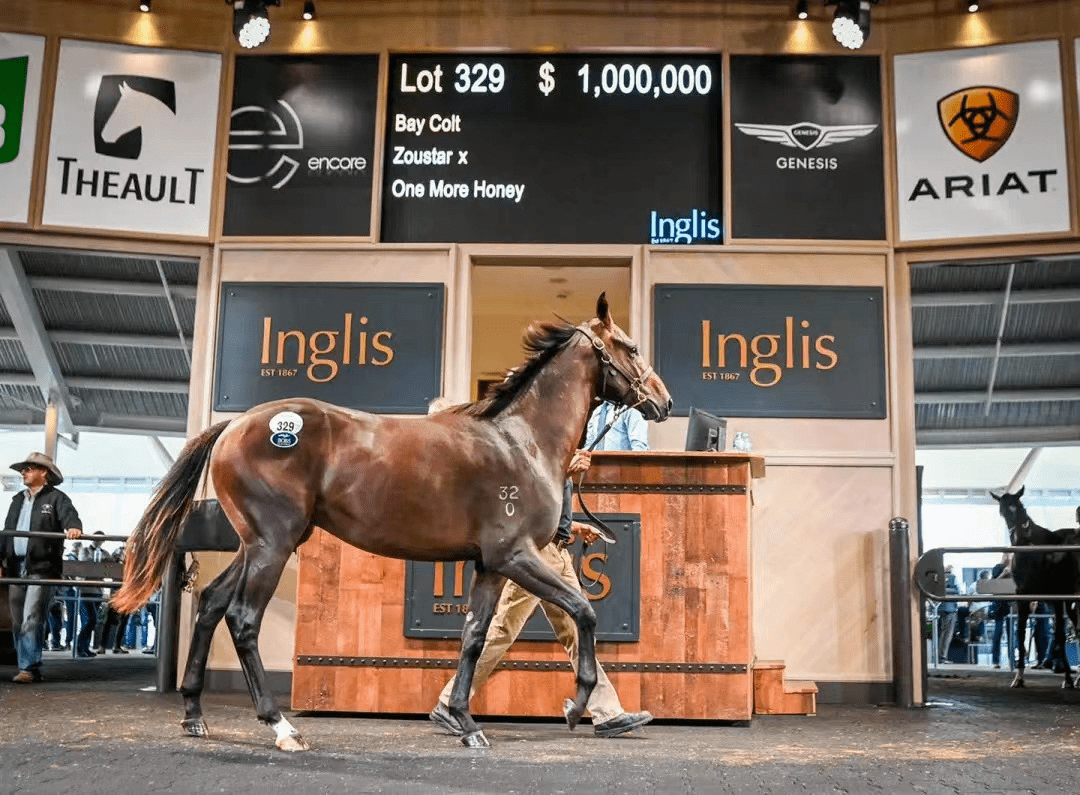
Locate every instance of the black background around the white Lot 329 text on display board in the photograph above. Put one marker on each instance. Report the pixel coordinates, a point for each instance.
(593, 168)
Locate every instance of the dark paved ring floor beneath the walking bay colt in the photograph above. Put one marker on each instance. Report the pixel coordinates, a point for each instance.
(92, 729)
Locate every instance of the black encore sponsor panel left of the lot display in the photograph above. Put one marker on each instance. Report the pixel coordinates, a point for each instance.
(335, 99)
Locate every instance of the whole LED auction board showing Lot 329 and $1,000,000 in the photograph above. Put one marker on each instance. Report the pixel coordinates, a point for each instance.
(553, 150)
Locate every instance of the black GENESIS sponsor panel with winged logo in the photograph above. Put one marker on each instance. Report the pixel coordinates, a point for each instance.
(846, 204)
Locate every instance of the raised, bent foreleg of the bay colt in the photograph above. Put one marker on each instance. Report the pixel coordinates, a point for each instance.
(532, 574)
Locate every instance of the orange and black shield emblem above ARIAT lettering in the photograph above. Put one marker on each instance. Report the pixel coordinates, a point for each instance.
(979, 120)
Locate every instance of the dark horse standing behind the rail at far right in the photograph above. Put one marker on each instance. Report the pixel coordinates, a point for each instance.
(1041, 573)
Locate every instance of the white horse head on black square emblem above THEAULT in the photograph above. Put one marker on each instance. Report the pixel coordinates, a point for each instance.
(127, 106)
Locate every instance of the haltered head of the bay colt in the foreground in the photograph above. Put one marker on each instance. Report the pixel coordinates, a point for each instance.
(625, 378)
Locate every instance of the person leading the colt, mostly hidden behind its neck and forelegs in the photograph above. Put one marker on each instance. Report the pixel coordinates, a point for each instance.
(515, 609)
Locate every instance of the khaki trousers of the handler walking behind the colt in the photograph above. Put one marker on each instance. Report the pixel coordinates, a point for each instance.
(515, 609)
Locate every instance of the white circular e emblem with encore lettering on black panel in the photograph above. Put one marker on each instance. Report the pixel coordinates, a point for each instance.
(266, 138)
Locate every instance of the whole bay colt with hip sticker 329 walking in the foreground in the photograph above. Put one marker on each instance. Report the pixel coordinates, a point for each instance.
(480, 482)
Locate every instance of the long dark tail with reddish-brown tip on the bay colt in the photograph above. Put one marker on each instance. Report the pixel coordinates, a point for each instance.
(154, 541)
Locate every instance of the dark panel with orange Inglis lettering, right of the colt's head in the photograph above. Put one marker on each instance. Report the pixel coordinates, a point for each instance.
(855, 388)
